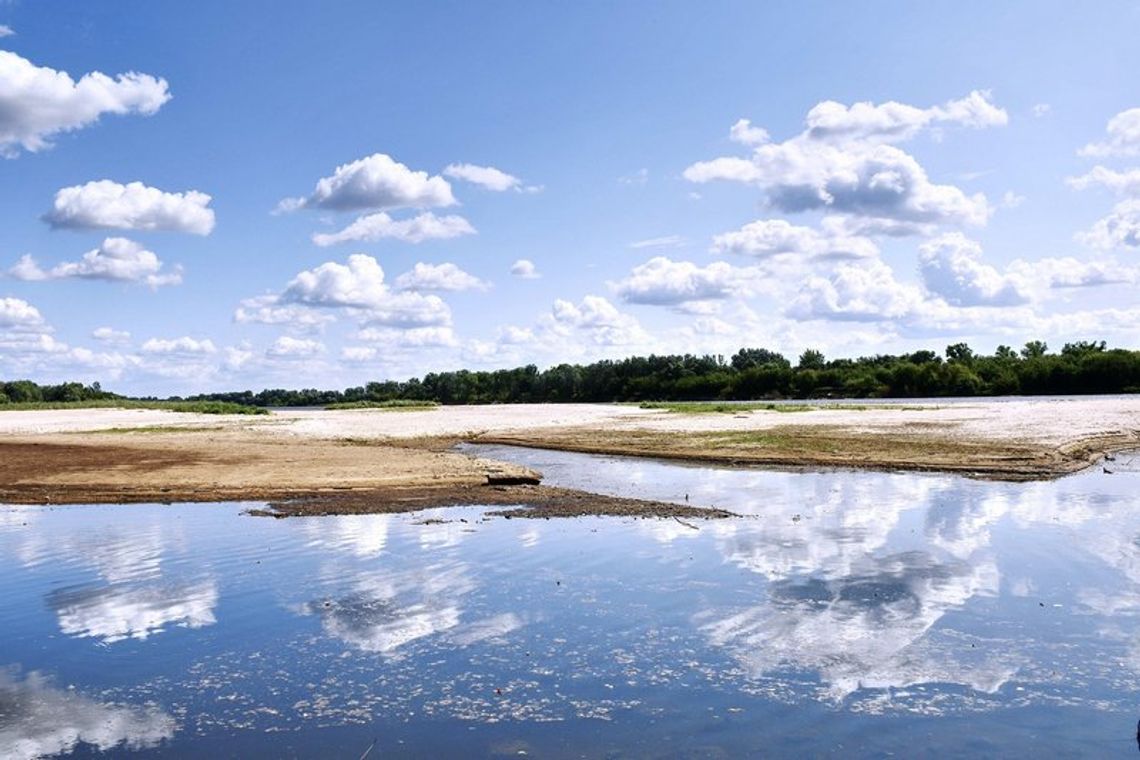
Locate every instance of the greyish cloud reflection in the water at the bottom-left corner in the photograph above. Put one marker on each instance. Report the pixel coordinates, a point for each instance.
(39, 720)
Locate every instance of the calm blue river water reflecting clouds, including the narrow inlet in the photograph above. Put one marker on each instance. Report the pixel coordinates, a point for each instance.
(848, 614)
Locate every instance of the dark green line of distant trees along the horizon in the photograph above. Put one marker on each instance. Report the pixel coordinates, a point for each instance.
(1079, 369)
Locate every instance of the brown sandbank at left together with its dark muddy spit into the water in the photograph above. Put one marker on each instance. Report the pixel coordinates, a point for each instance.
(297, 477)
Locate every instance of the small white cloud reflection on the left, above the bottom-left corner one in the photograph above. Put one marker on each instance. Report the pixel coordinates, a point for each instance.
(119, 611)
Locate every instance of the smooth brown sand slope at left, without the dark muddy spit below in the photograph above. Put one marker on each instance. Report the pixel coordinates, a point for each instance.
(209, 465)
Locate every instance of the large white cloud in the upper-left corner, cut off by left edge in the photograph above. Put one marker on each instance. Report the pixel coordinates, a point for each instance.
(38, 103)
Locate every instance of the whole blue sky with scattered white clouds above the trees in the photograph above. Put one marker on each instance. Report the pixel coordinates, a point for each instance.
(909, 176)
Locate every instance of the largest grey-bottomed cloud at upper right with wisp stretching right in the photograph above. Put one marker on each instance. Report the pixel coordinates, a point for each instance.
(844, 164)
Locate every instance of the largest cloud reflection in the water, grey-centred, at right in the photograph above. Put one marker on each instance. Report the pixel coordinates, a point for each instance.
(866, 630)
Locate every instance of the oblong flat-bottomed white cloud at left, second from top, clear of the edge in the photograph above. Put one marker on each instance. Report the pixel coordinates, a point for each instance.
(107, 205)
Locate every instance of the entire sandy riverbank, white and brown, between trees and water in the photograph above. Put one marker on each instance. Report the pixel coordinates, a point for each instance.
(401, 461)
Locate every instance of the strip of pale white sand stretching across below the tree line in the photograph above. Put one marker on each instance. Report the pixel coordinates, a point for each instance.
(1047, 421)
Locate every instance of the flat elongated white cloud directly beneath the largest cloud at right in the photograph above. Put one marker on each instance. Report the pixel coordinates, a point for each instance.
(772, 238)
